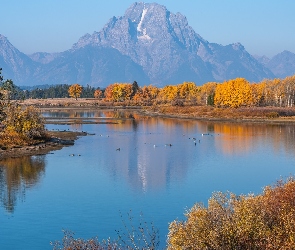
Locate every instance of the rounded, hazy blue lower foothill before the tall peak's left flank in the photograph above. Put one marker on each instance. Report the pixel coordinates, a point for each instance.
(96, 66)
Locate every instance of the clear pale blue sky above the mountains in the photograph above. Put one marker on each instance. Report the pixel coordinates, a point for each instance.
(264, 27)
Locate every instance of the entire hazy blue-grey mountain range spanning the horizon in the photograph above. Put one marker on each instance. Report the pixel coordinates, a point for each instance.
(148, 44)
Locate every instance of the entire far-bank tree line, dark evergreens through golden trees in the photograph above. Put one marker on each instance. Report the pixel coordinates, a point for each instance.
(232, 93)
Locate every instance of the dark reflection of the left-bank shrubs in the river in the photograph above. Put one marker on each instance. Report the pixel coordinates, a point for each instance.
(17, 175)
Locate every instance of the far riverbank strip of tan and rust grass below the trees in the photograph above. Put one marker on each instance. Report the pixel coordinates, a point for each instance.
(210, 113)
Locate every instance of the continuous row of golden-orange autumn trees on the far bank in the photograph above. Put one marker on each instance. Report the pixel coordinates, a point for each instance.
(233, 93)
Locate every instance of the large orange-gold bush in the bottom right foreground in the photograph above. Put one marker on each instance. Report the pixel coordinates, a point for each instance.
(265, 221)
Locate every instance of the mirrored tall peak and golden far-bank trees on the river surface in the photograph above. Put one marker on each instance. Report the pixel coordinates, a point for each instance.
(148, 163)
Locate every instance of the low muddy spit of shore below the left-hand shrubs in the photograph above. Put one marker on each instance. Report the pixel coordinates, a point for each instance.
(57, 140)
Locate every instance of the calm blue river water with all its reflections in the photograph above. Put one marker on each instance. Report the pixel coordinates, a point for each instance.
(86, 188)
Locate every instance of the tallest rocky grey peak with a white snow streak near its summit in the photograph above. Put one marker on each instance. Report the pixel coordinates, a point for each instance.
(170, 51)
